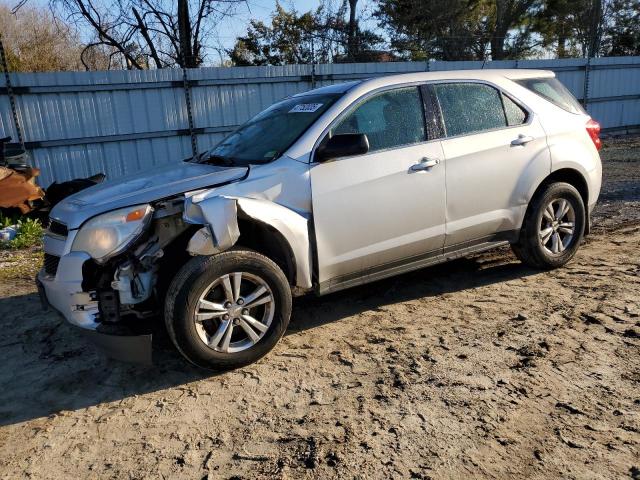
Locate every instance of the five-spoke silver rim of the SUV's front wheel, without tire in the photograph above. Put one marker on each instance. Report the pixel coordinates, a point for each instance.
(234, 312)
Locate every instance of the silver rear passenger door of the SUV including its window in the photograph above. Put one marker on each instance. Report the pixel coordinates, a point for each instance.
(491, 144)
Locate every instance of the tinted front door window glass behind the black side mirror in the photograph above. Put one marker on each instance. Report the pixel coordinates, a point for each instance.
(389, 119)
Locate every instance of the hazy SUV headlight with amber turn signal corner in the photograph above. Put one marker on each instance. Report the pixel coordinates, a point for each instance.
(110, 233)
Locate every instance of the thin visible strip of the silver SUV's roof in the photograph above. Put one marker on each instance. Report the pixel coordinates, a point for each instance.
(489, 75)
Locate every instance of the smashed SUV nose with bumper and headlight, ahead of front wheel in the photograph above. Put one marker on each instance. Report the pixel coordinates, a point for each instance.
(110, 285)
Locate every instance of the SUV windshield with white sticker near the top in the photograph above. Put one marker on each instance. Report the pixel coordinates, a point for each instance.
(270, 133)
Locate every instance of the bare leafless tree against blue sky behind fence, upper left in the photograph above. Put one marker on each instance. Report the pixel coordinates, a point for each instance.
(149, 33)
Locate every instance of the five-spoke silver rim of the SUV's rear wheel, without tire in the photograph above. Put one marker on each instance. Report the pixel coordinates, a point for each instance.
(557, 226)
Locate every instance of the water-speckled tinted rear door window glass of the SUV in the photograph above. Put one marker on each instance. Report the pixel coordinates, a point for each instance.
(469, 107)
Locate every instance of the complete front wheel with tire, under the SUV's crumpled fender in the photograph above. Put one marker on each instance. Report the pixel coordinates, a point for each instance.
(227, 310)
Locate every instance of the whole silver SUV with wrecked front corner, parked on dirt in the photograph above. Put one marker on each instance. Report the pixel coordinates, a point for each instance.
(333, 188)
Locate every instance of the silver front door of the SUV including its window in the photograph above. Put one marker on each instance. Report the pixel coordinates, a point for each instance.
(375, 212)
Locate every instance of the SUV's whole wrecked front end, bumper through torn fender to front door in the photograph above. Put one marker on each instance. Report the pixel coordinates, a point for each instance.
(109, 274)
